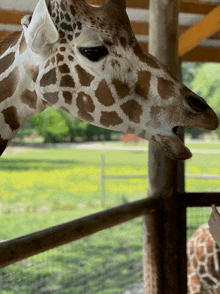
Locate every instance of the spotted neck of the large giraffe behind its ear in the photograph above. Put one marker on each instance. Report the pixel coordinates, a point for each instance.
(18, 98)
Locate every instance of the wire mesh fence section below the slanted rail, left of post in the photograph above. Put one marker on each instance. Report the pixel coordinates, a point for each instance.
(108, 262)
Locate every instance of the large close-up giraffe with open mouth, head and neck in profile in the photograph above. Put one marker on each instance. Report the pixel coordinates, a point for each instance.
(86, 60)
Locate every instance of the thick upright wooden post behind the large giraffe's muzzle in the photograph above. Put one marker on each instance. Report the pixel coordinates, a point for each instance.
(164, 233)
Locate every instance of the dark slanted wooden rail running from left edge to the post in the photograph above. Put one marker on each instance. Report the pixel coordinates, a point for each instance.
(23, 247)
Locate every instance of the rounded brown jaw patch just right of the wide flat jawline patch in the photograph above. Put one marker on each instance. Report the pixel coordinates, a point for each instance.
(133, 110)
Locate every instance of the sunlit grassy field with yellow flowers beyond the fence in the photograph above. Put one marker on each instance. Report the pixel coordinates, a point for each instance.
(42, 188)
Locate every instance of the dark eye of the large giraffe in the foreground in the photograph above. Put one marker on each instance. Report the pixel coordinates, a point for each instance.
(94, 53)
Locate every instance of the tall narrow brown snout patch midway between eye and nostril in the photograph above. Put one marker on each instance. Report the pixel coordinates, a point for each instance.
(143, 84)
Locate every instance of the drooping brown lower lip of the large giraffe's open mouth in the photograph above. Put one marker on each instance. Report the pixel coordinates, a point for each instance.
(173, 146)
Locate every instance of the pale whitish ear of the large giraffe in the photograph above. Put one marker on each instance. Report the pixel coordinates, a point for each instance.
(41, 34)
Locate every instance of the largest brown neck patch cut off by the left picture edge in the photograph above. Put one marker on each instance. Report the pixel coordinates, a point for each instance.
(8, 85)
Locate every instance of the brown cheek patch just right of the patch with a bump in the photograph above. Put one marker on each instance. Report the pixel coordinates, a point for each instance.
(104, 95)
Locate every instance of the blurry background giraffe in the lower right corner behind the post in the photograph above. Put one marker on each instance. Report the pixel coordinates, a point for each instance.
(203, 269)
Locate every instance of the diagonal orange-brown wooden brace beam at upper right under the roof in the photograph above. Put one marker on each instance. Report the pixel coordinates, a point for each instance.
(205, 28)
